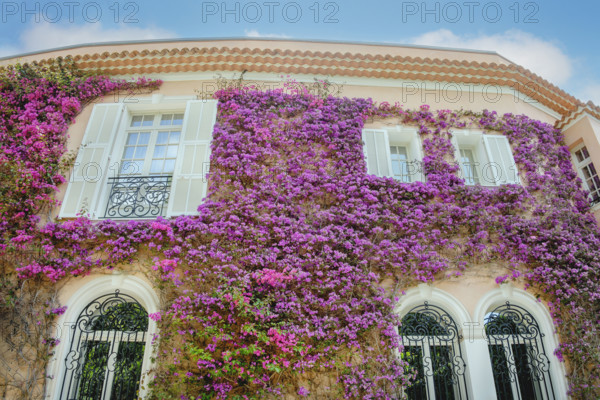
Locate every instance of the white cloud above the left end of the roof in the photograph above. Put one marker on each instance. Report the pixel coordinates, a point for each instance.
(42, 36)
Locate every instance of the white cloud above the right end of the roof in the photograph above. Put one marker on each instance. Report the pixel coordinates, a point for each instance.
(542, 57)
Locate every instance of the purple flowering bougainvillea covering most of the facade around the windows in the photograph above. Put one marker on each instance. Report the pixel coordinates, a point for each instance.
(276, 286)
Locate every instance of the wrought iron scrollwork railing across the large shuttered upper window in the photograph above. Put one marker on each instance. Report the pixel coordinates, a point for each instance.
(138, 196)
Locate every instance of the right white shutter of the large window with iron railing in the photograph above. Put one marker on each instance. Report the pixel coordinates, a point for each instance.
(190, 176)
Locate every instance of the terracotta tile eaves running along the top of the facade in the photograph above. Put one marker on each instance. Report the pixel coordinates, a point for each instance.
(340, 63)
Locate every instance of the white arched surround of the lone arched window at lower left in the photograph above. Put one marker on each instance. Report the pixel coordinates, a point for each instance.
(94, 287)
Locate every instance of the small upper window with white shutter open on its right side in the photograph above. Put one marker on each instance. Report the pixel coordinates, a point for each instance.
(484, 159)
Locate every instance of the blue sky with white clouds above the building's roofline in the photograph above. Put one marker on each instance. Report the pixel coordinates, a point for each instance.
(555, 39)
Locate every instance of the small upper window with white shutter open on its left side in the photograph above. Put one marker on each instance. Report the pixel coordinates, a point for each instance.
(393, 152)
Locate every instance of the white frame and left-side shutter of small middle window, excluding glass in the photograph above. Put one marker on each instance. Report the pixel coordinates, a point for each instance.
(376, 150)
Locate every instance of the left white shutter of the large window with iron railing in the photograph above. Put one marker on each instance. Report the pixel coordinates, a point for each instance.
(91, 165)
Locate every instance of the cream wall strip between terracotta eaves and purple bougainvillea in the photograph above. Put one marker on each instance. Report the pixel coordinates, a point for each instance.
(411, 94)
